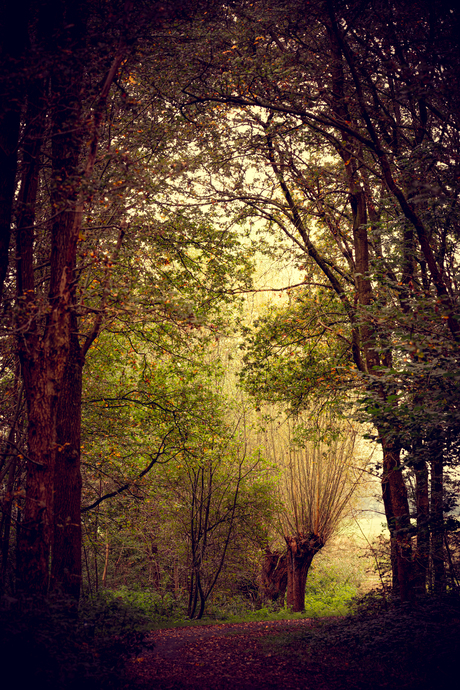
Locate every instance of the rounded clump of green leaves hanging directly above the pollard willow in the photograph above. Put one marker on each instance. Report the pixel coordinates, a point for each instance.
(299, 353)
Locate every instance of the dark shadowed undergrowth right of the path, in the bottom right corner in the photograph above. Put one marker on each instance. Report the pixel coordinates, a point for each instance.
(408, 647)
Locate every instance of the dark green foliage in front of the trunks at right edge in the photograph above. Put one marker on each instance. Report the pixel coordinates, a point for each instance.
(421, 390)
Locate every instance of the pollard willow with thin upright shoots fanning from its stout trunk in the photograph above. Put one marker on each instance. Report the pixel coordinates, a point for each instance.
(320, 474)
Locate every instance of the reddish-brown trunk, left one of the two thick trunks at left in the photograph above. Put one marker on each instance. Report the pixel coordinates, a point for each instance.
(42, 366)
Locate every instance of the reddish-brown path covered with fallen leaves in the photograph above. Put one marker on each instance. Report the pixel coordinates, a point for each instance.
(237, 656)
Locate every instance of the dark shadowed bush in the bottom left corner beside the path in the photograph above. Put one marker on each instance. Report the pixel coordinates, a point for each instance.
(52, 645)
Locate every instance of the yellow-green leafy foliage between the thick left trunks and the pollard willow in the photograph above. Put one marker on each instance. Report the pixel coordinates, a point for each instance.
(205, 502)
